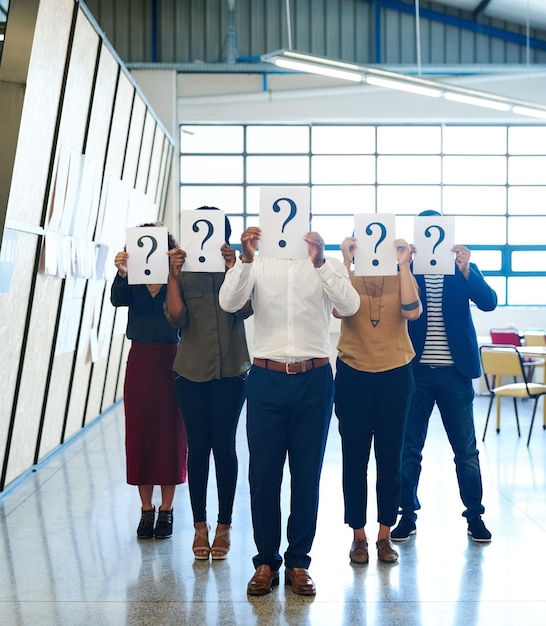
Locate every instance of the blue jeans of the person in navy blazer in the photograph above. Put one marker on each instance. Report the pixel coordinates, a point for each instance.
(454, 395)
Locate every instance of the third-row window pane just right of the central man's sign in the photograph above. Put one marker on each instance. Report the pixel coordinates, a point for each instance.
(342, 199)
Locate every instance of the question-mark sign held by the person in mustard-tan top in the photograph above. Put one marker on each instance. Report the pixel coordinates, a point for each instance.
(375, 254)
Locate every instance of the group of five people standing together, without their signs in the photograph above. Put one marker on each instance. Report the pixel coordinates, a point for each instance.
(406, 343)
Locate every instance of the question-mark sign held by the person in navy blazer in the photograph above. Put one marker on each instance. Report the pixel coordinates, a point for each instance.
(434, 236)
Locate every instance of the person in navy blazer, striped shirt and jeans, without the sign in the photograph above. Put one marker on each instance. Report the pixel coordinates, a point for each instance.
(447, 360)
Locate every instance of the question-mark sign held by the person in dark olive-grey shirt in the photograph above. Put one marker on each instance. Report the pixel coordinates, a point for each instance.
(203, 233)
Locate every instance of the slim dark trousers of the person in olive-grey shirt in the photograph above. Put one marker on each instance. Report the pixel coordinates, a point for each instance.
(211, 413)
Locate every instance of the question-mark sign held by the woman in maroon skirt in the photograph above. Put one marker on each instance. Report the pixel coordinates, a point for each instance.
(148, 262)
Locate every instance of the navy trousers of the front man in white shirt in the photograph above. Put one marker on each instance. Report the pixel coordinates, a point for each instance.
(288, 415)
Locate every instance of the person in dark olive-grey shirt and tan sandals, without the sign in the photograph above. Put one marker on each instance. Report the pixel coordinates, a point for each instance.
(210, 370)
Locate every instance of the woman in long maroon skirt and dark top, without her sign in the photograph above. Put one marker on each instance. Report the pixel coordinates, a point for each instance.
(155, 442)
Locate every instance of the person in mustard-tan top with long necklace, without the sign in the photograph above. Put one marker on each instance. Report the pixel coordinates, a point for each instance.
(374, 386)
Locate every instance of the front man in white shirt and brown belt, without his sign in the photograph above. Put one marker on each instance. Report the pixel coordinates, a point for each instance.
(289, 394)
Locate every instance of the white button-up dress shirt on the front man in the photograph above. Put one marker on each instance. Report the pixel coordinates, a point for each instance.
(292, 302)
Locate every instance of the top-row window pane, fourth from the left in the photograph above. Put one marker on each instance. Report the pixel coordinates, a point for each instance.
(409, 139)
